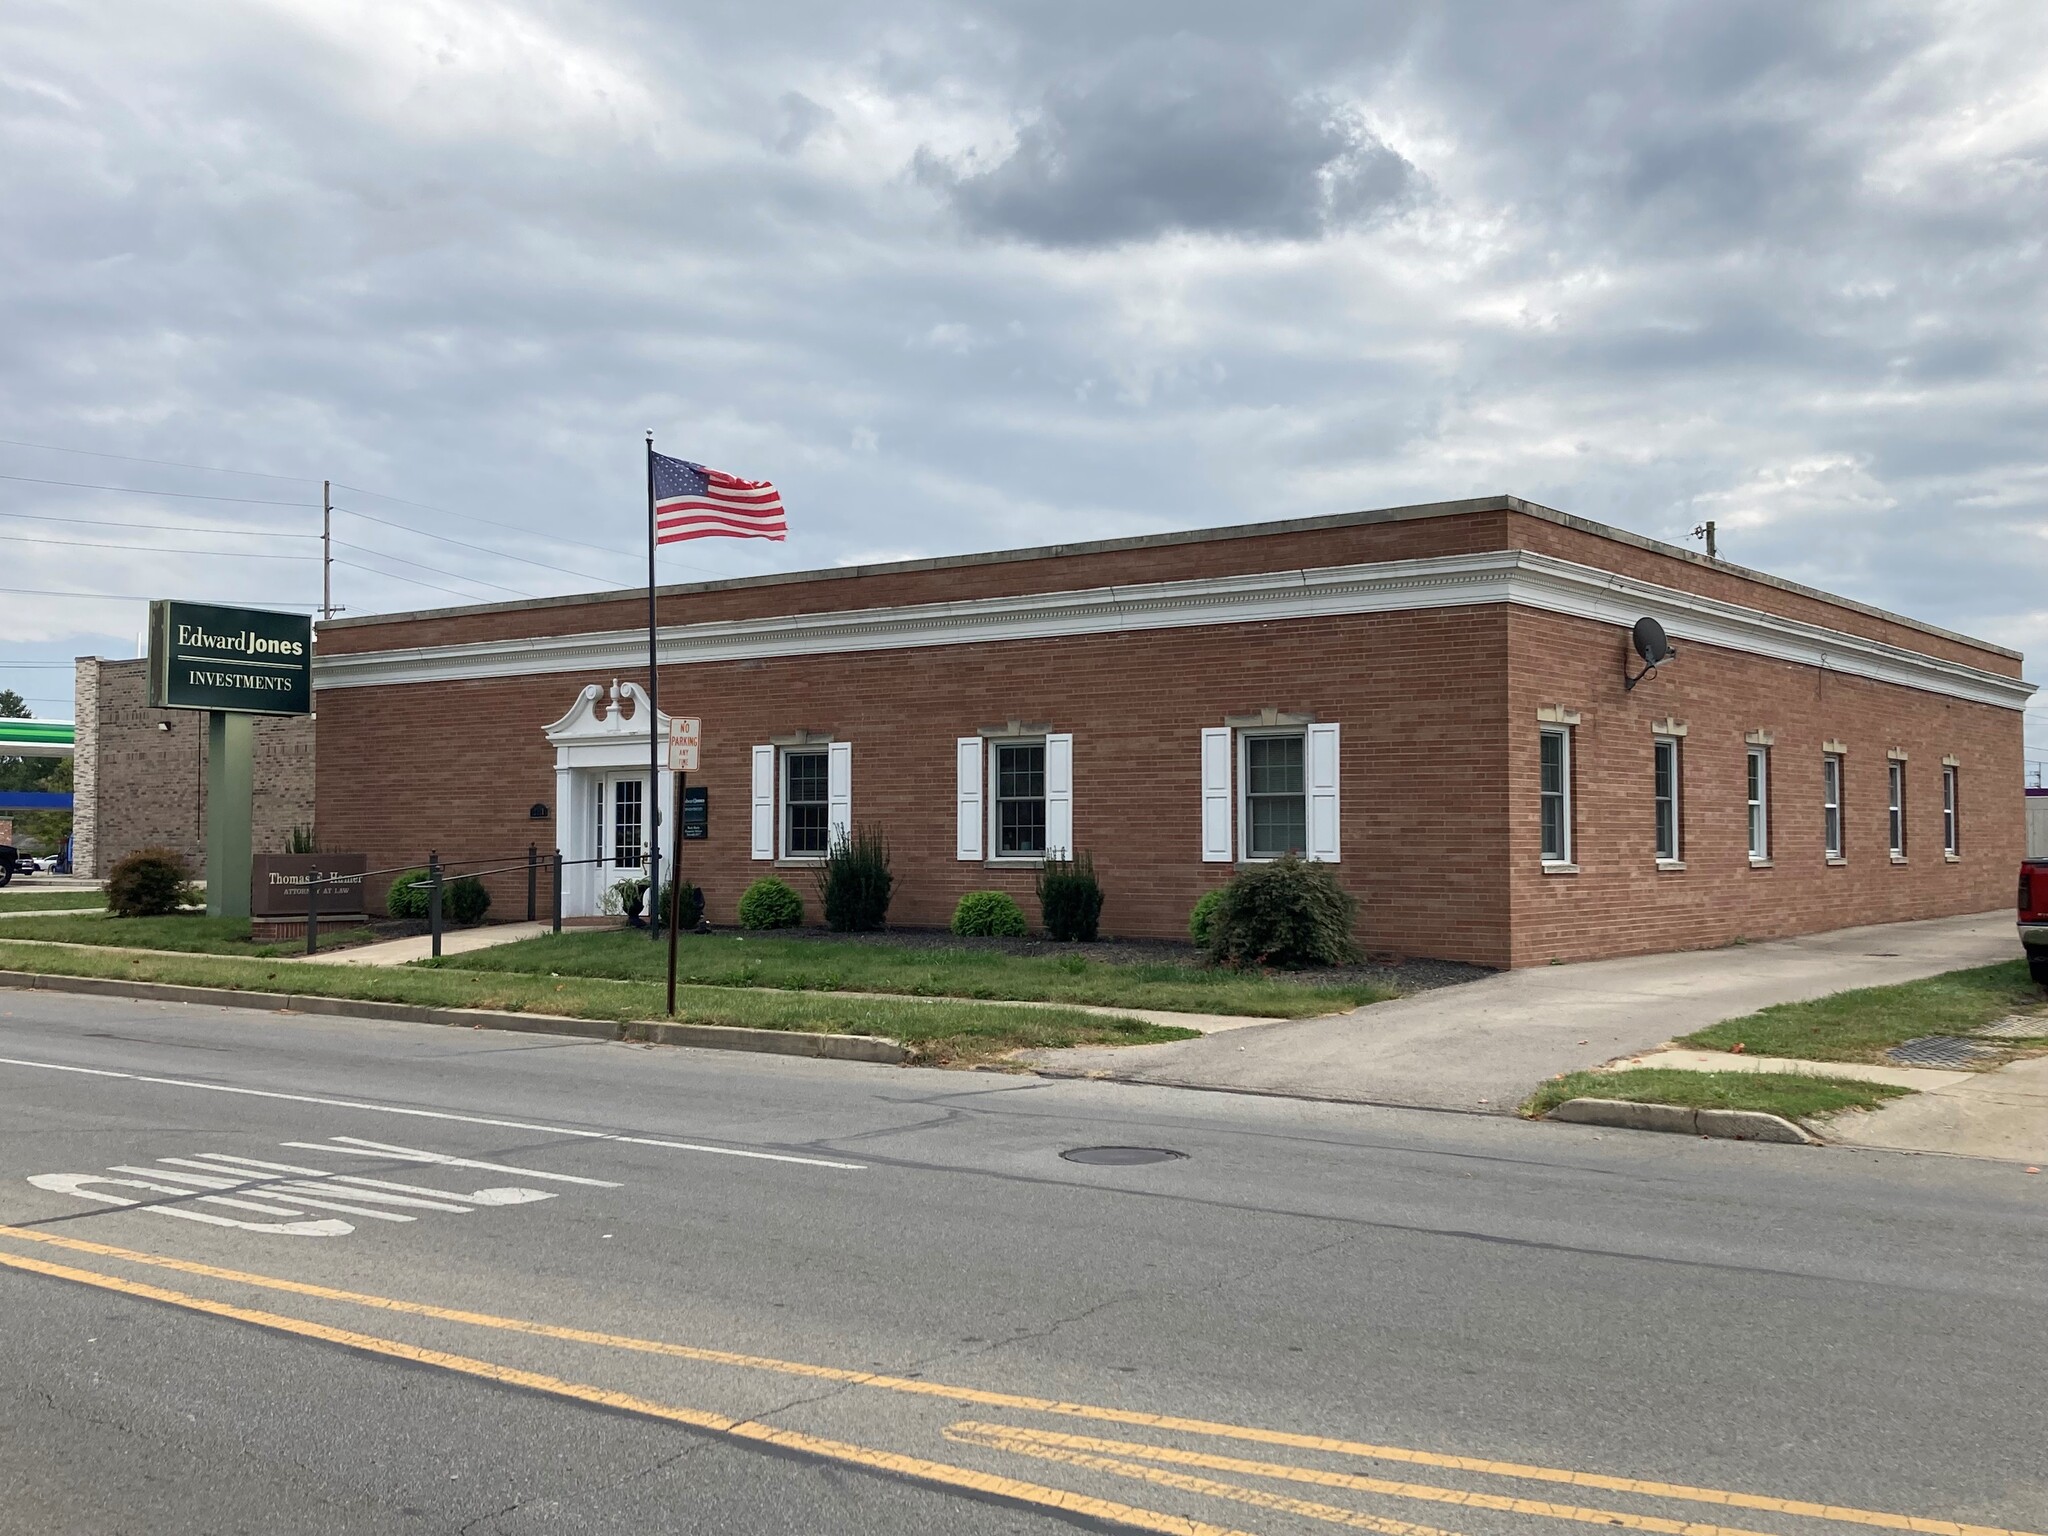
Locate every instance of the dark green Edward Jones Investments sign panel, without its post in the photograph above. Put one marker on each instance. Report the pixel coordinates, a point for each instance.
(245, 660)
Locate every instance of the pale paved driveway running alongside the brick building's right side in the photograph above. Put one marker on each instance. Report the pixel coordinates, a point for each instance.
(1488, 1043)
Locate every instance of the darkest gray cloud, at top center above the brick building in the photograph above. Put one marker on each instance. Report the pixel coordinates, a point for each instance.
(1177, 134)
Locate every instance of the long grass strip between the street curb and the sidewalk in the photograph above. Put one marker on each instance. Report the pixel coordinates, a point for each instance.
(939, 1033)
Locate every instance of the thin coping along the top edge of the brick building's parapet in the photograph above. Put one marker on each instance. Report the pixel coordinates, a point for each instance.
(1193, 538)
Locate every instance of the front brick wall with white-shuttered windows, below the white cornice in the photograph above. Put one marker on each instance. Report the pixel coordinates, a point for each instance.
(1420, 699)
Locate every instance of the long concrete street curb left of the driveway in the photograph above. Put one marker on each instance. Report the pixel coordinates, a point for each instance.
(706, 1037)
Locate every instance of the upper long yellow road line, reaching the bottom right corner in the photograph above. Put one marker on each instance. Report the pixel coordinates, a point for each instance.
(978, 1398)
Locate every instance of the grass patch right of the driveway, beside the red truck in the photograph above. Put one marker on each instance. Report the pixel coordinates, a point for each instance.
(1863, 1025)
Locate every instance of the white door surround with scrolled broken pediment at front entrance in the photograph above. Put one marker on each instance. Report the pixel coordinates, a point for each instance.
(601, 742)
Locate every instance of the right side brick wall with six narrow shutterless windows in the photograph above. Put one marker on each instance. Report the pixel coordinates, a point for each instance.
(1623, 904)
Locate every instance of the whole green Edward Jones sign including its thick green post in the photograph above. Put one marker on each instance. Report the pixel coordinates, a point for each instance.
(232, 665)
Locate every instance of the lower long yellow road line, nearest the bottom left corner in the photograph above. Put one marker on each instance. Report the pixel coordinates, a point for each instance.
(839, 1451)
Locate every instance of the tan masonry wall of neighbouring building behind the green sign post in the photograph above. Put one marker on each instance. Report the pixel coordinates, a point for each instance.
(140, 785)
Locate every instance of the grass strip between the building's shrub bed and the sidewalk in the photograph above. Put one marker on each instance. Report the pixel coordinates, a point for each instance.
(822, 966)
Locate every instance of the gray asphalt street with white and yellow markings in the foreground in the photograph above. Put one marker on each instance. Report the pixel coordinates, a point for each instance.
(288, 1275)
